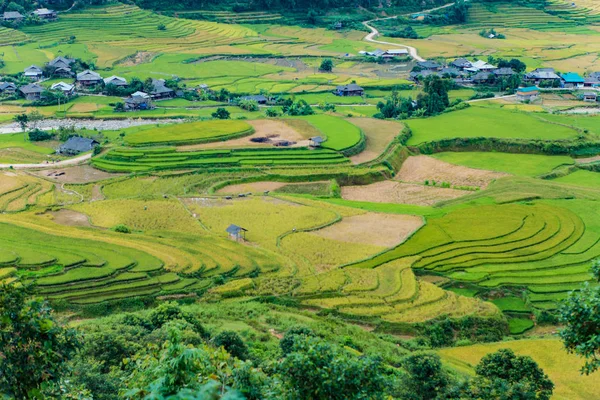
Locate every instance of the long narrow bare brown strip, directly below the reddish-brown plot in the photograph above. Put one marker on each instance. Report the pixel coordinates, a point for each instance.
(401, 193)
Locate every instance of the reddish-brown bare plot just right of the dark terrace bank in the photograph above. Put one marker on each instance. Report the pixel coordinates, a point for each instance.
(418, 169)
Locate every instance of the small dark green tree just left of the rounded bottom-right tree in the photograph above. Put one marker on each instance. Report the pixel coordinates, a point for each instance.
(426, 379)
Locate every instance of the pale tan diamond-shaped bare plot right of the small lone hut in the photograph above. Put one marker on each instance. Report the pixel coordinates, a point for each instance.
(373, 228)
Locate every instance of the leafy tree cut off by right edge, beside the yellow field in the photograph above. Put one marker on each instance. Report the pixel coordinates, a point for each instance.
(581, 315)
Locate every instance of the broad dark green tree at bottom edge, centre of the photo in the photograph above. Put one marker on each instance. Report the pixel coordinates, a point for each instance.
(317, 370)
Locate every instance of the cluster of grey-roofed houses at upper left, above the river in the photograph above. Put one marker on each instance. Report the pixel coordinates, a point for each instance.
(63, 67)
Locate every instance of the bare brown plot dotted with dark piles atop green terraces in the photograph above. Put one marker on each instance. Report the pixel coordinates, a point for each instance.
(273, 130)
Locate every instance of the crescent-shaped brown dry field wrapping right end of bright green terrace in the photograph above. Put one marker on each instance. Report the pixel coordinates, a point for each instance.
(379, 134)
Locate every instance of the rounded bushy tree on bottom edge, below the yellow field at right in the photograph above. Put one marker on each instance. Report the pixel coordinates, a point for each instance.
(505, 376)
